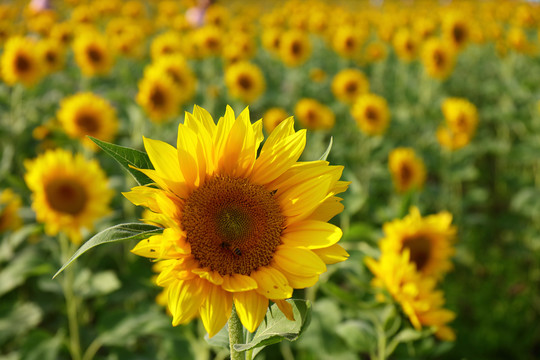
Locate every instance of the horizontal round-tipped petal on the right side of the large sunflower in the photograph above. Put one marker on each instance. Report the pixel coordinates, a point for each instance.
(311, 234)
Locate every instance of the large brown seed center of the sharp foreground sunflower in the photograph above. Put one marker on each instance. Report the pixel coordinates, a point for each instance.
(232, 225)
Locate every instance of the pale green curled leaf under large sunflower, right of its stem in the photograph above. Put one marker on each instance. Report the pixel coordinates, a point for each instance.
(277, 327)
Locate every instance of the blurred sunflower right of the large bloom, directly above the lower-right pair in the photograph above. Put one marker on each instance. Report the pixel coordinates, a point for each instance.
(408, 171)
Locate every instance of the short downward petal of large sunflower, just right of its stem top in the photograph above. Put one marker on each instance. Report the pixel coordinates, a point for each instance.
(251, 308)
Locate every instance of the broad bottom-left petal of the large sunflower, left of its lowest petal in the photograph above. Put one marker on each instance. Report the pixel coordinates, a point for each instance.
(185, 299)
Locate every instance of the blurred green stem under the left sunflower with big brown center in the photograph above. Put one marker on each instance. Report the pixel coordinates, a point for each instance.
(71, 300)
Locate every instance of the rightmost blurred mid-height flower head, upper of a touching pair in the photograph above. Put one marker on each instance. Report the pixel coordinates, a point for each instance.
(461, 115)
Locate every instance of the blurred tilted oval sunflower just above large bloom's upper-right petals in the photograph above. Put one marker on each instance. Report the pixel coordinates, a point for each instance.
(313, 115)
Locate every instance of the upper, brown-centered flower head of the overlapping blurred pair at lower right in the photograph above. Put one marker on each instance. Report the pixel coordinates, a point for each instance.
(428, 239)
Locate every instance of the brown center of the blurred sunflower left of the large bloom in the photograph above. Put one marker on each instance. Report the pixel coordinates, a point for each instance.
(66, 196)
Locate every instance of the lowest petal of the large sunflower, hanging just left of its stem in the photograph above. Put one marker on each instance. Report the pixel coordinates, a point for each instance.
(215, 309)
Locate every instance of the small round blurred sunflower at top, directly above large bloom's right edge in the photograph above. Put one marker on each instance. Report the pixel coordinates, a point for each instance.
(294, 47)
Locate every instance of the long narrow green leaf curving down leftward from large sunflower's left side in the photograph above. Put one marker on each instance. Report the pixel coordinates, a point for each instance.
(122, 232)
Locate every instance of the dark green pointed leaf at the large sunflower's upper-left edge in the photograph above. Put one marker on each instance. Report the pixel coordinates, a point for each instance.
(127, 157)
